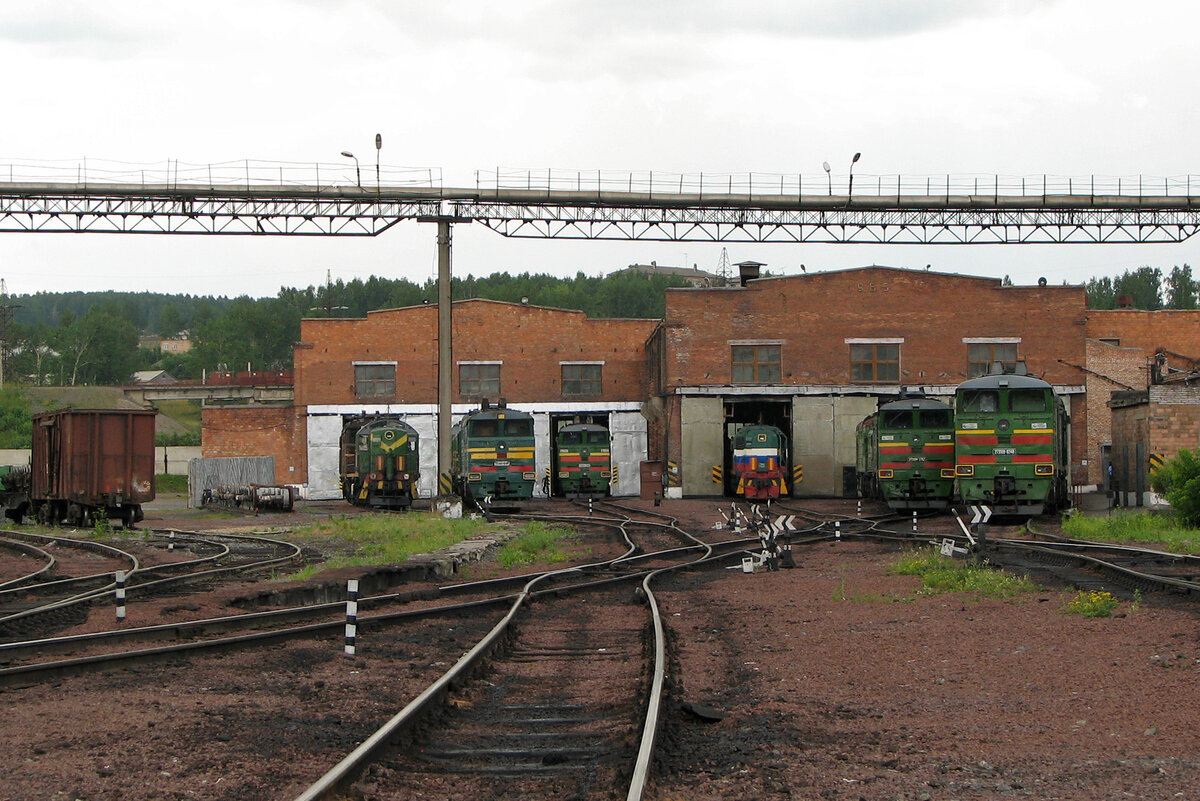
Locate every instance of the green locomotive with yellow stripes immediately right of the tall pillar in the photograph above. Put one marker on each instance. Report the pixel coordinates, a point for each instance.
(493, 455)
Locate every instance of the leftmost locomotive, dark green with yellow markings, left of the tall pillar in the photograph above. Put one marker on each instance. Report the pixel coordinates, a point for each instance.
(380, 462)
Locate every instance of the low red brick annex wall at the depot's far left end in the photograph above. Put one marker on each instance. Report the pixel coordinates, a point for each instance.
(260, 431)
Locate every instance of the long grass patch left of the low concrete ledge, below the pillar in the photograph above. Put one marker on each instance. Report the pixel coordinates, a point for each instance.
(382, 539)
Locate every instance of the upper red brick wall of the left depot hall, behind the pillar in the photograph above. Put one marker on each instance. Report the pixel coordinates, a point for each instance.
(531, 342)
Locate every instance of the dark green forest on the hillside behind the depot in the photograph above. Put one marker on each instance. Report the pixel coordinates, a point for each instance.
(92, 339)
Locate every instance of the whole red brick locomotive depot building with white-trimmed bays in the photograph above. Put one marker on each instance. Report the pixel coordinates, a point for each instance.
(812, 354)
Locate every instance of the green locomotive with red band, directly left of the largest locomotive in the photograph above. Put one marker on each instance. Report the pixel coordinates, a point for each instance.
(905, 455)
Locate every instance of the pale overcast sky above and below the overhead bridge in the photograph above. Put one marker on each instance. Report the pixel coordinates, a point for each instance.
(1022, 88)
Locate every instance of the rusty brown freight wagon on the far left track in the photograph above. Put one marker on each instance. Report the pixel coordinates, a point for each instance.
(92, 462)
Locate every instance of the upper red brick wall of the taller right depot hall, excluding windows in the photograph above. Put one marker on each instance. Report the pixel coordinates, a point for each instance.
(815, 314)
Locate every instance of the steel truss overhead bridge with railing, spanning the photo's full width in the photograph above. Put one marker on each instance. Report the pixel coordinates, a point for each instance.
(603, 214)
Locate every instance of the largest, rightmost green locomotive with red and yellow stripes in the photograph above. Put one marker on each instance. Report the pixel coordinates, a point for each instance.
(1011, 444)
